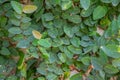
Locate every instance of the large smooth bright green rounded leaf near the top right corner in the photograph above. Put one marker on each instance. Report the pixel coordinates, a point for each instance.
(99, 12)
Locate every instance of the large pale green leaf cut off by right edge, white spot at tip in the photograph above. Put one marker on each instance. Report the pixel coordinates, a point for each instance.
(111, 50)
